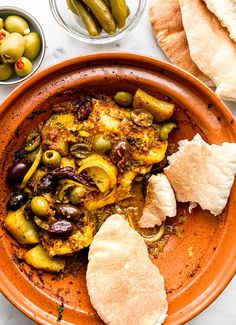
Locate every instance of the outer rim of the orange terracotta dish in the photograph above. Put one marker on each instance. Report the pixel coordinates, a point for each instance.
(228, 270)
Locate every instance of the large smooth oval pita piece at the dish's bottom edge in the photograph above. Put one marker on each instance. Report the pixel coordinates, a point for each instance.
(124, 286)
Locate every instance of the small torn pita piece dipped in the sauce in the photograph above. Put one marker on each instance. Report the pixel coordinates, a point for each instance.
(160, 202)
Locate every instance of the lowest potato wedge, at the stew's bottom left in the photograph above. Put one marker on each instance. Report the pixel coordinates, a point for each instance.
(38, 258)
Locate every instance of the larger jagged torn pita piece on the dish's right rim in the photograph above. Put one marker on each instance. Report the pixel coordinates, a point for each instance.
(202, 173)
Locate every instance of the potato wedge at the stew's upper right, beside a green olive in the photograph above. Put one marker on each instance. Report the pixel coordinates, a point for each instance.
(160, 110)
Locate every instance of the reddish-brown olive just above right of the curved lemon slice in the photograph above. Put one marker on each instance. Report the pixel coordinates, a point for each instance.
(120, 154)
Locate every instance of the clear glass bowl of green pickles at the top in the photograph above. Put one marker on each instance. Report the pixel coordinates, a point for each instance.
(97, 21)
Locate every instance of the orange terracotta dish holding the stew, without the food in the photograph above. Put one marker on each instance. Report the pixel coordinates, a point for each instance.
(192, 283)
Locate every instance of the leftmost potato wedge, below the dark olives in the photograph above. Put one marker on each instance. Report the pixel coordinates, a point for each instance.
(21, 228)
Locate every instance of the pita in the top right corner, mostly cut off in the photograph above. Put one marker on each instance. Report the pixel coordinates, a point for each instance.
(225, 11)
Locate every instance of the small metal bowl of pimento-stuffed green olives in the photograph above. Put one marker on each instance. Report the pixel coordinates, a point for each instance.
(22, 45)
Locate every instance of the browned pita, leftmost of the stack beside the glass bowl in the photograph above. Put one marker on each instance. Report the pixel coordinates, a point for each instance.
(168, 29)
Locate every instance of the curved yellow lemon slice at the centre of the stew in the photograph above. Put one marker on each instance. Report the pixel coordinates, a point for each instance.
(101, 171)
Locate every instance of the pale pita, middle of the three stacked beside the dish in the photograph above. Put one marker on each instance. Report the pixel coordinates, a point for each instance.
(211, 48)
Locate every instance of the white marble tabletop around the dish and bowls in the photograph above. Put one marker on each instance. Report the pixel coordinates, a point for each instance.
(61, 46)
